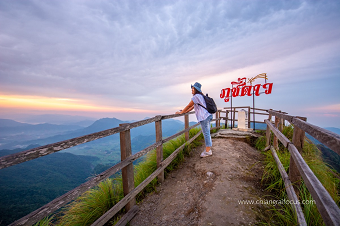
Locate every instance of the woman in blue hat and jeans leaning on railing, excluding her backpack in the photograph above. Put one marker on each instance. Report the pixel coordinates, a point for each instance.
(202, 115)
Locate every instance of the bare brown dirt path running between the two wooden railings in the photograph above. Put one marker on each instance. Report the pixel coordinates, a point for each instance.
(206, 191)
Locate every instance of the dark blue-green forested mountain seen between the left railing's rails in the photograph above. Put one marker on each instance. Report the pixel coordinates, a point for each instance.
(28, 186)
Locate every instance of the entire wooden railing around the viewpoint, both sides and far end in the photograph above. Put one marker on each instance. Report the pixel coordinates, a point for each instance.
(325, 204)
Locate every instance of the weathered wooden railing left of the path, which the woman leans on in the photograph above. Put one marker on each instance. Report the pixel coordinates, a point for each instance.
(125, 165)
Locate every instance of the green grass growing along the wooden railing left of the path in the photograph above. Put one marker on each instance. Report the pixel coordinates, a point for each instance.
(95, 202)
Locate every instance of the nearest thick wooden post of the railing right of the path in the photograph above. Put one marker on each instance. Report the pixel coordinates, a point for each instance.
(298, 140)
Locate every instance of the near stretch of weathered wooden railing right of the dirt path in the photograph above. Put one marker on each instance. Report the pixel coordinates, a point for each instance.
(298, 168)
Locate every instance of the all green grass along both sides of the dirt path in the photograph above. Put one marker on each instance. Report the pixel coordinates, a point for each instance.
(92, 204)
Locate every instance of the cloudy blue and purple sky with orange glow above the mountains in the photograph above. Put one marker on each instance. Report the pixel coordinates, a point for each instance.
(132, 59)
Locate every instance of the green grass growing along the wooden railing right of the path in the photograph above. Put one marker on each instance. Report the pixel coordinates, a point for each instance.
(271, 179)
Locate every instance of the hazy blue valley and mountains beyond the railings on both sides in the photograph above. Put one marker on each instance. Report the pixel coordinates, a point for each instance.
(28, 186)
